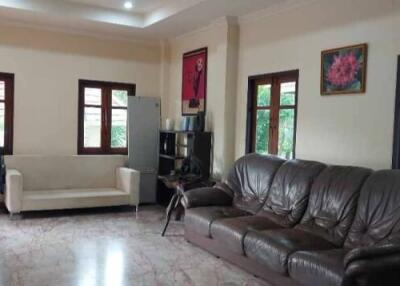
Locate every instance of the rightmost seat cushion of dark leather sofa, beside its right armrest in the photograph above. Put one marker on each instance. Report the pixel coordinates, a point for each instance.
(318, 267)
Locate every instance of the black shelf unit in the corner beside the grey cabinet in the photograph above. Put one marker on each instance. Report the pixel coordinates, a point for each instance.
(176, 146)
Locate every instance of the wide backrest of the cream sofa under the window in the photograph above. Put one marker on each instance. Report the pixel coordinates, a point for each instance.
(48, 172)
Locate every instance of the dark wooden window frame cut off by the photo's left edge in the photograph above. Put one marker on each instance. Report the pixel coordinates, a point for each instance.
(8, 78)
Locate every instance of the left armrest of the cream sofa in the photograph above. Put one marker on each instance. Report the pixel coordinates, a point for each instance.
(14, 190)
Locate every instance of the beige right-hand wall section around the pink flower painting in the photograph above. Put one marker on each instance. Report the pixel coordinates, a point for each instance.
(354, 129)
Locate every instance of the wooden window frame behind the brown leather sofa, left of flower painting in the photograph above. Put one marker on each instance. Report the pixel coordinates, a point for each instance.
(275, 79)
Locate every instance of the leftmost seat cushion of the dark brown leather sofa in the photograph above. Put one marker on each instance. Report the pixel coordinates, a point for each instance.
(199, 219)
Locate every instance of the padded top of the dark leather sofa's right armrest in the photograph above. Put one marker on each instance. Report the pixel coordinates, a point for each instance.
(371, 252)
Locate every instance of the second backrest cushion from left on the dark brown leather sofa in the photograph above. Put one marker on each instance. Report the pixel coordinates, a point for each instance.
(288, 197)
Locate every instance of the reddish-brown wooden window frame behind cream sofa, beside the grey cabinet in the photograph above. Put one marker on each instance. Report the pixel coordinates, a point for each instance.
(106, 116)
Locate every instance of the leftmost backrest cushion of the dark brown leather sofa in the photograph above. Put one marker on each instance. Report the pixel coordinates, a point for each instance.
(251, 178)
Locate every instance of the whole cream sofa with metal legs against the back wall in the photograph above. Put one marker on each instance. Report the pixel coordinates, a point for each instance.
(67, 182)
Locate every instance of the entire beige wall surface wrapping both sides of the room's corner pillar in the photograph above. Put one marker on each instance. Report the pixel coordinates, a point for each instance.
(353, 129)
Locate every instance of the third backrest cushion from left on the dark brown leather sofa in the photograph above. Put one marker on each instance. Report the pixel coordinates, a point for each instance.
(333, 202)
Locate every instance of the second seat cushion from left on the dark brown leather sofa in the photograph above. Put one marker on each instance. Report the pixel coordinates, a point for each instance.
(230, 232)
